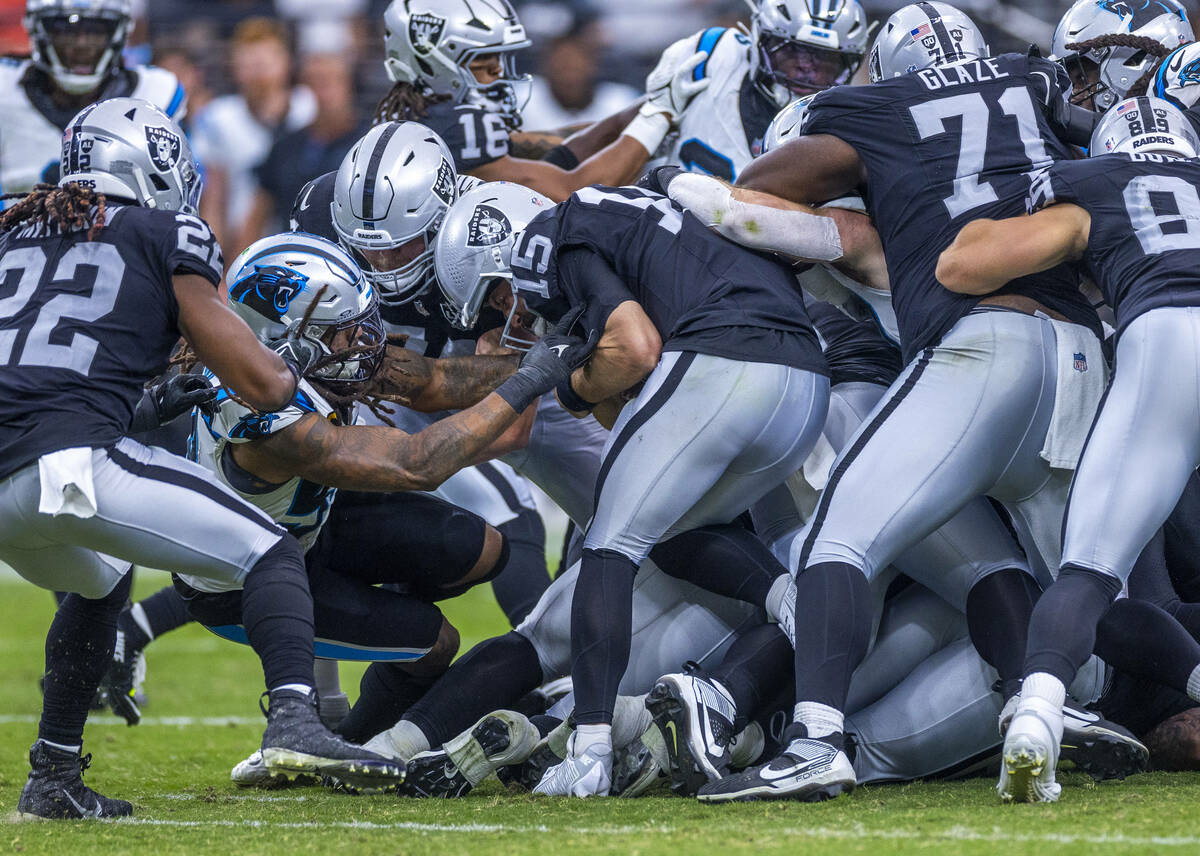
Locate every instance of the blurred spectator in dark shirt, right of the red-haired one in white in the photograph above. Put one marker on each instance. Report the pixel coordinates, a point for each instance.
(303, 155)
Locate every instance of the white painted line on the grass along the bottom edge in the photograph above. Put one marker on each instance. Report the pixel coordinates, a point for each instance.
(958, 834)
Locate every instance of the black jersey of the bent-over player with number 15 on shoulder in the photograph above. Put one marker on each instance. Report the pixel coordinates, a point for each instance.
(703, 292)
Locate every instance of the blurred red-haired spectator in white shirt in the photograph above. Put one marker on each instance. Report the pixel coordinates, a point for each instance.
(236, 133)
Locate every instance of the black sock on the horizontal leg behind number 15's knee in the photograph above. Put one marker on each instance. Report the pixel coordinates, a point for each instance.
(724, 560)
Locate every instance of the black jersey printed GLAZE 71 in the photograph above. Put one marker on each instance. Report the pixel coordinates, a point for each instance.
(944, 147)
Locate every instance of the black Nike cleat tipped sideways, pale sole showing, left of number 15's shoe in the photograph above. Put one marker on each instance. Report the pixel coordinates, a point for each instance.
(499, 740)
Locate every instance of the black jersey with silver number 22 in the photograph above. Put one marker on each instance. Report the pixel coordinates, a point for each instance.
(87, 324)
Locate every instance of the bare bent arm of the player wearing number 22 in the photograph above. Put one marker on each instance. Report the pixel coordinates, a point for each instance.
(223, 343)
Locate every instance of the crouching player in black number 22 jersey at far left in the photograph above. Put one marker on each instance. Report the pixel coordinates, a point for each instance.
(110, 274)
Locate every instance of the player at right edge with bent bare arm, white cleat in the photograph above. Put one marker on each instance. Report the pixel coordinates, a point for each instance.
(1131, 216)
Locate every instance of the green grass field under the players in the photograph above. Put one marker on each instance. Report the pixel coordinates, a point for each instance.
(203, 719)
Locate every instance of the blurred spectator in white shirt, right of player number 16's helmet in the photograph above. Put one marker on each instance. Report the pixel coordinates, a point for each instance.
(569, 91)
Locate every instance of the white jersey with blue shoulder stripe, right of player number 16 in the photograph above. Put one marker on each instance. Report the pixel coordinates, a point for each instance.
(722, 130)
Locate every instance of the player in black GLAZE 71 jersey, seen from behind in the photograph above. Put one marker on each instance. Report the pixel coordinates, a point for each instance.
(950, 429)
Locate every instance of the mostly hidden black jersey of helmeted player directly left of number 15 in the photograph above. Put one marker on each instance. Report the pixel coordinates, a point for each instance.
(421, 319)
